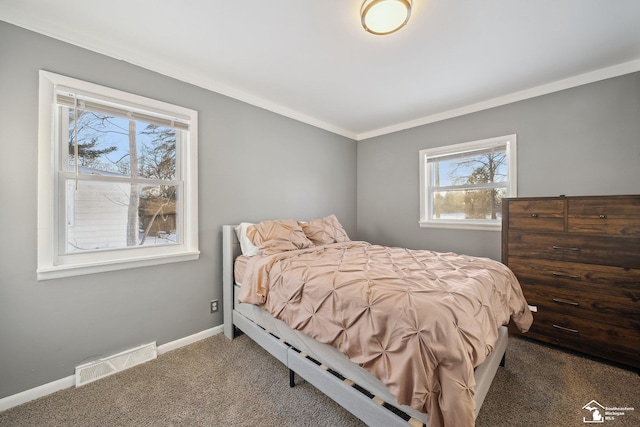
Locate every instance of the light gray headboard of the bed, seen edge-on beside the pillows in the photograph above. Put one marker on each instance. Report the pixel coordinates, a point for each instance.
(230, 250)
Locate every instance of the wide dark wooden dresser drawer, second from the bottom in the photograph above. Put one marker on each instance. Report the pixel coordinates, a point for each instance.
(603, 308)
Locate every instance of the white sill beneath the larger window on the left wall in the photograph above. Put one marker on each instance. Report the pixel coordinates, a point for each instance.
(61, 271)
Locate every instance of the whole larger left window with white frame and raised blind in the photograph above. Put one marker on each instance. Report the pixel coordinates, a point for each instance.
(117, 183)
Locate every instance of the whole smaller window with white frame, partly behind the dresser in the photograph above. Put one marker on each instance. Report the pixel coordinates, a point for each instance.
(462, 185)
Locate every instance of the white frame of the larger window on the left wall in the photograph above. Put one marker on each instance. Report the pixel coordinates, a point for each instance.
(52, 264)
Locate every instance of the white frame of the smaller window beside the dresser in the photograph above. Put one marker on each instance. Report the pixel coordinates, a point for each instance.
(509, 142)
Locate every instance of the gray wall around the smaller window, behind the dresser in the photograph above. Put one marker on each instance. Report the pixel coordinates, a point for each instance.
(580, 141)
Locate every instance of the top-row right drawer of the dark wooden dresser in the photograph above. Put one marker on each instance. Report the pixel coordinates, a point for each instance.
(619, 216)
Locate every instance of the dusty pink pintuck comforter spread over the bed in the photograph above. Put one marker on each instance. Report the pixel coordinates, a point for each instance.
(420, 321)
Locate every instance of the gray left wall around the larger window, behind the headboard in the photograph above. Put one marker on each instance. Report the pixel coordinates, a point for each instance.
(253, 165)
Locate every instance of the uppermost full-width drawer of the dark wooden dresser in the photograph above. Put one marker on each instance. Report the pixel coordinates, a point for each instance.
(611, 250)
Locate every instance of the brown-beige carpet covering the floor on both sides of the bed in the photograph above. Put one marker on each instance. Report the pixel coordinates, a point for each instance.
(216, 382)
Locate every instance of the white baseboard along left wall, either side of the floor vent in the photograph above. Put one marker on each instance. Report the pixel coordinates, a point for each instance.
(70, 381)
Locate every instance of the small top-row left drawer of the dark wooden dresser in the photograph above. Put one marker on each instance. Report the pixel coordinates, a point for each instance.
(547, 215)
